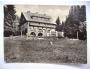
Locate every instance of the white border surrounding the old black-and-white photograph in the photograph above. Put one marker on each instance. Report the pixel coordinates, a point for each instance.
(42, 65)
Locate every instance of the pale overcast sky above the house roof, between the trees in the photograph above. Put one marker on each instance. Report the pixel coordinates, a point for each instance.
(52, 10)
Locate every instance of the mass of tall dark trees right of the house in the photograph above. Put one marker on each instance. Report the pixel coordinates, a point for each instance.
(75, 22)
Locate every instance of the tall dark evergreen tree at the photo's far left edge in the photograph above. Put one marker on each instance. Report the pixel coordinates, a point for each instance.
(9, 16)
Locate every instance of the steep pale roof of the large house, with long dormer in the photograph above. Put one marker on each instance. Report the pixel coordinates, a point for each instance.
(28, 17)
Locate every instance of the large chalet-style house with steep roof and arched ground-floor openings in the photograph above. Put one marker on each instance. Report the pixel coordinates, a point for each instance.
(36, 24)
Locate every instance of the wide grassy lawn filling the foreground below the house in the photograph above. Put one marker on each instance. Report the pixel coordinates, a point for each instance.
(42, 51)
